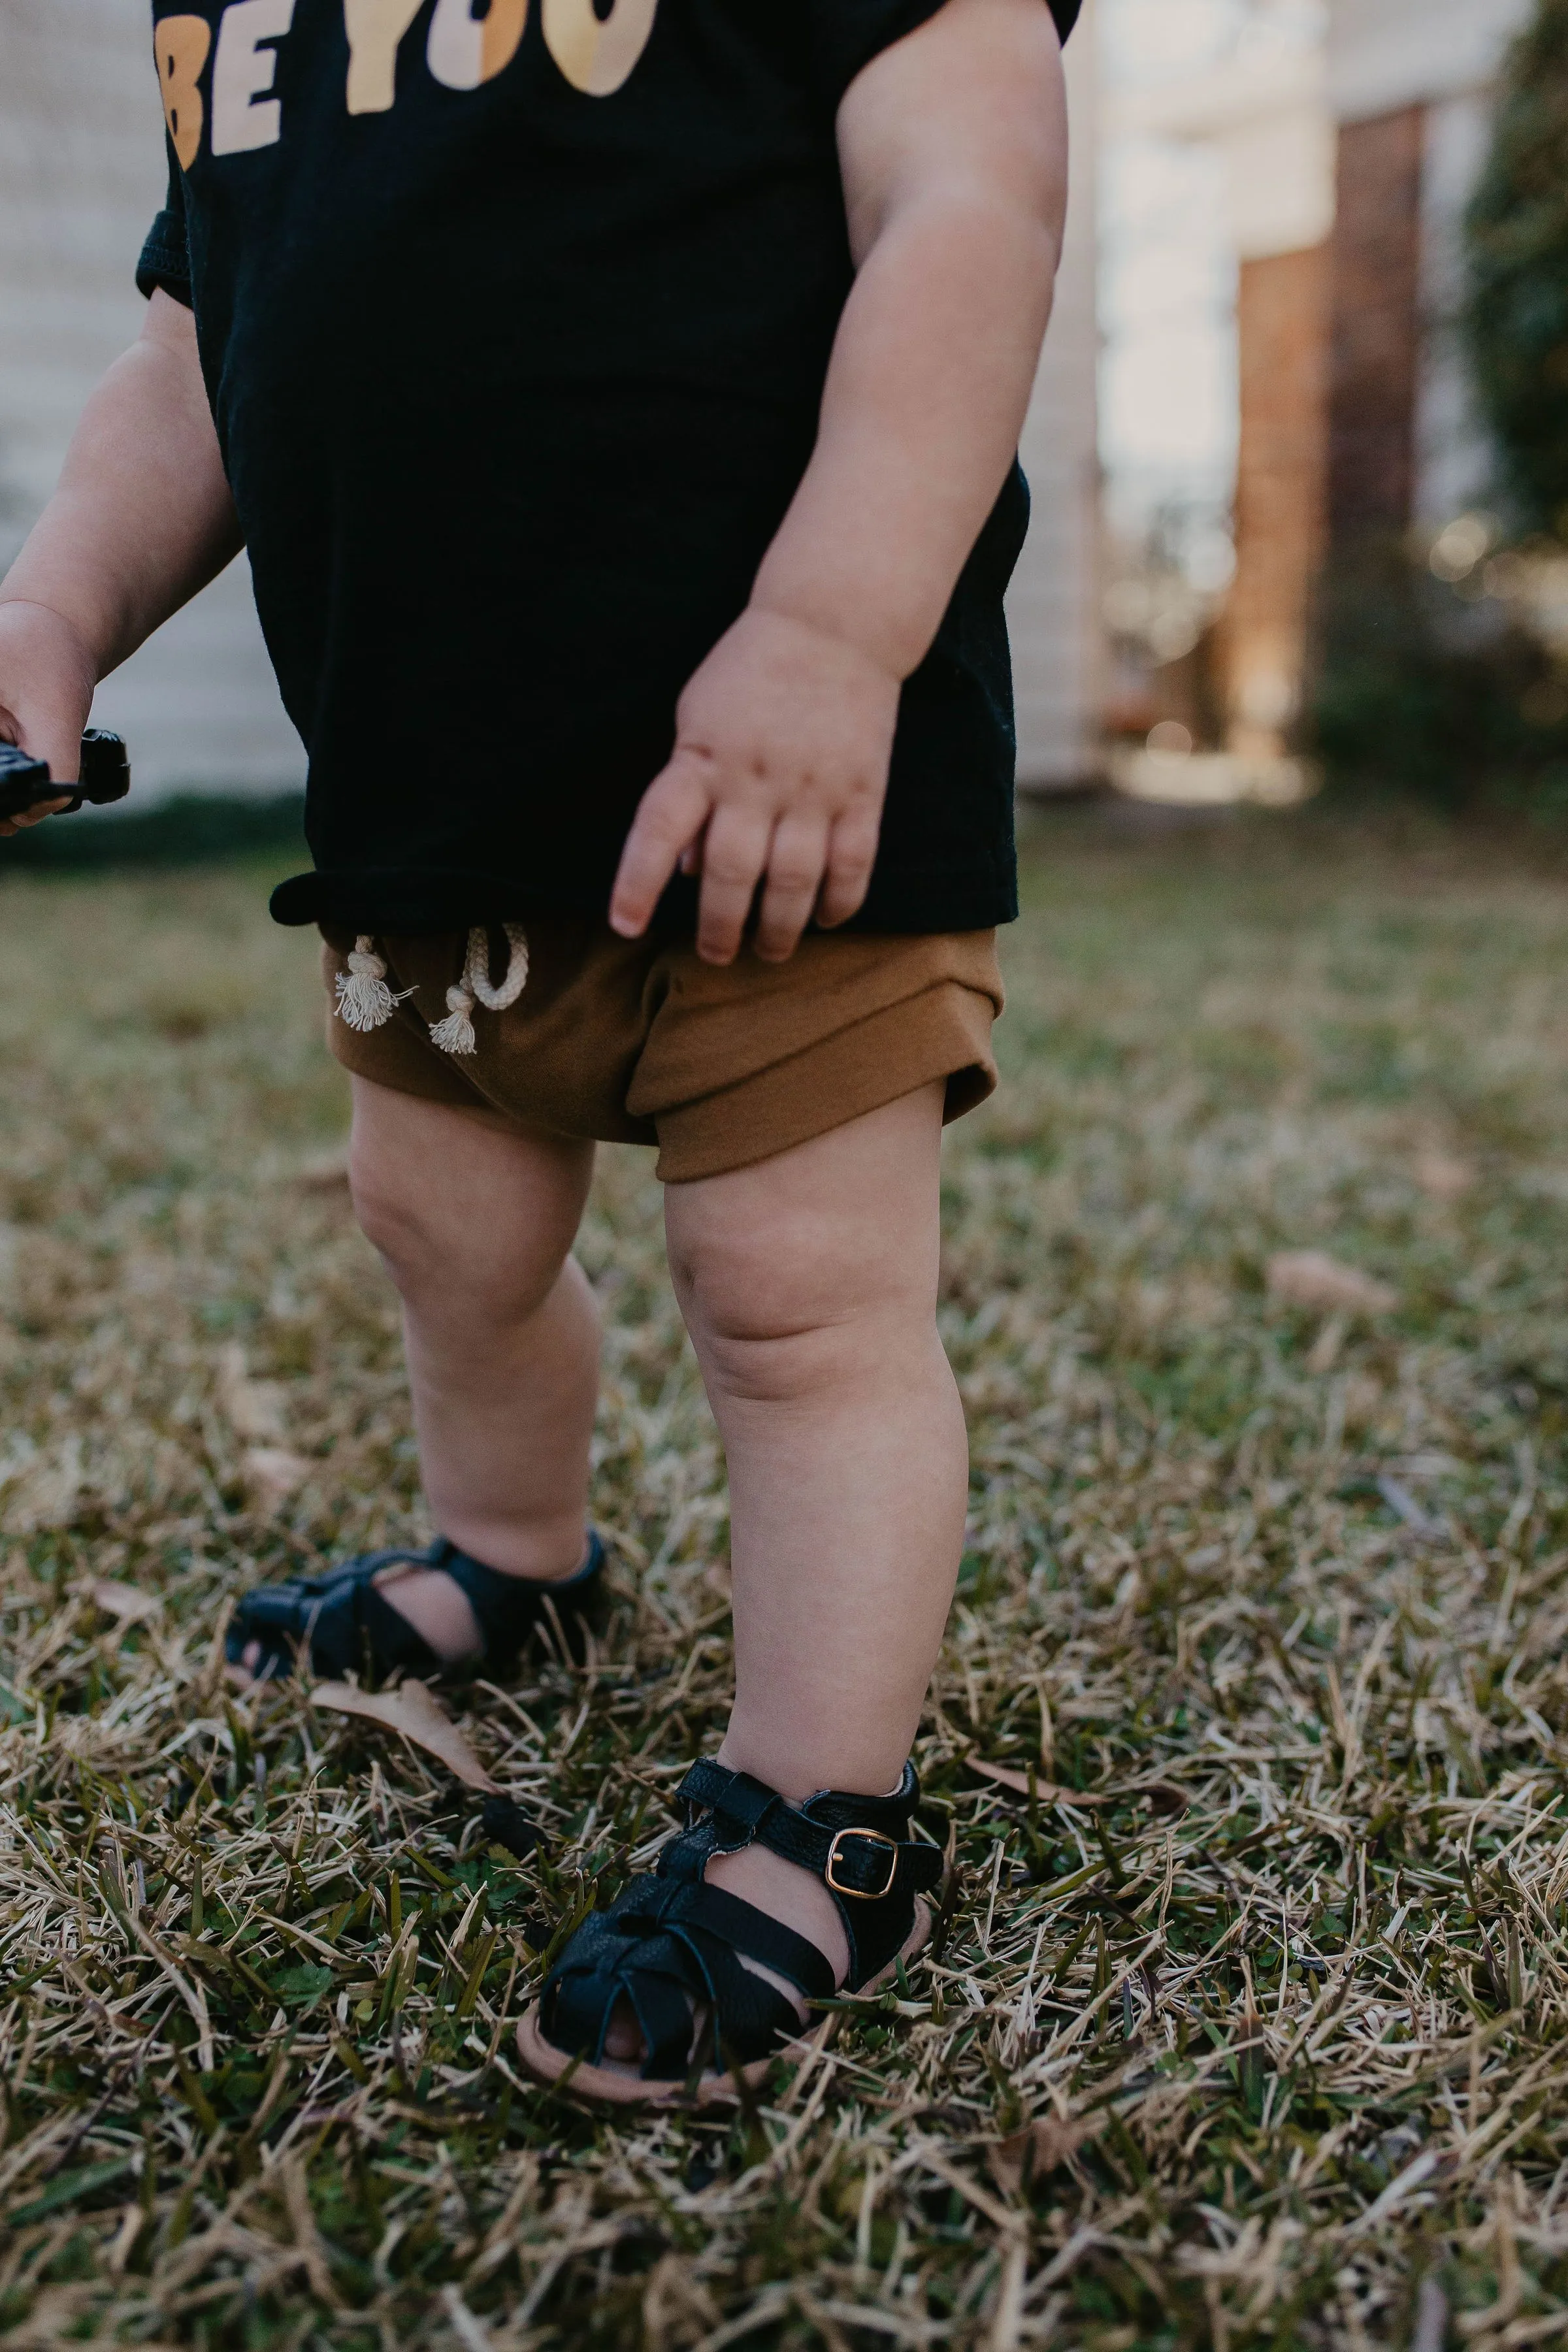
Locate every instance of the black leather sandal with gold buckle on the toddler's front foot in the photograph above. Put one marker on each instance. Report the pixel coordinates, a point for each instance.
(671, 1946)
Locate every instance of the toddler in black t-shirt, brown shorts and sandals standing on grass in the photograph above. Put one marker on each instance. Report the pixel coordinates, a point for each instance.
(619, 406)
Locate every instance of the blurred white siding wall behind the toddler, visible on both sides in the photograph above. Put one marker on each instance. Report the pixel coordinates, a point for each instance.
(81, 178)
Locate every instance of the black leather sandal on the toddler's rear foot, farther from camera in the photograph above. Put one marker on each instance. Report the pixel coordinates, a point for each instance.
(347, 1626)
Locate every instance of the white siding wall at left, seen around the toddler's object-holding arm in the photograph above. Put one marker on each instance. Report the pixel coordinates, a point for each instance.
(81, 178)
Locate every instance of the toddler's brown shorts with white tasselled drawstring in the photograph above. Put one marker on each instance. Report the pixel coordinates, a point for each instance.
(634, 1041)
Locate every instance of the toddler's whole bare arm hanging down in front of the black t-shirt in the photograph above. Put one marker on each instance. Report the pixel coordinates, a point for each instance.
(956, 173)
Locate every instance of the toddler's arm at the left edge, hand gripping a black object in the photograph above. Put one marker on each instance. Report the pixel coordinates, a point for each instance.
(142, 519)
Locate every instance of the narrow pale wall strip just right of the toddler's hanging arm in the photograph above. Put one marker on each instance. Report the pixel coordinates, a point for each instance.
(1054, 608)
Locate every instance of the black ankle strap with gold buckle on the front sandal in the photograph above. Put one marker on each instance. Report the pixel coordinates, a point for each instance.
(855, 1845)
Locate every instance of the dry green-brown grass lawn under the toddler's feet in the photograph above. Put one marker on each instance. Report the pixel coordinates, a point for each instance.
(1249, 2012)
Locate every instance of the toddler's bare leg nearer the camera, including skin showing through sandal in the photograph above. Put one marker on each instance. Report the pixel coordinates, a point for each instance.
(810, 1290)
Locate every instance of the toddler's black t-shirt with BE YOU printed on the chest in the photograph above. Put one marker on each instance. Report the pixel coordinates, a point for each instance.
(516, 328)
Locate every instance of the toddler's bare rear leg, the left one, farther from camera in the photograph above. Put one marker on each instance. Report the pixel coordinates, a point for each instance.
(476, 1227)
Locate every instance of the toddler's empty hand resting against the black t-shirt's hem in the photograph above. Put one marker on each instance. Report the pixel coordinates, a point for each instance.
(779, 773)
